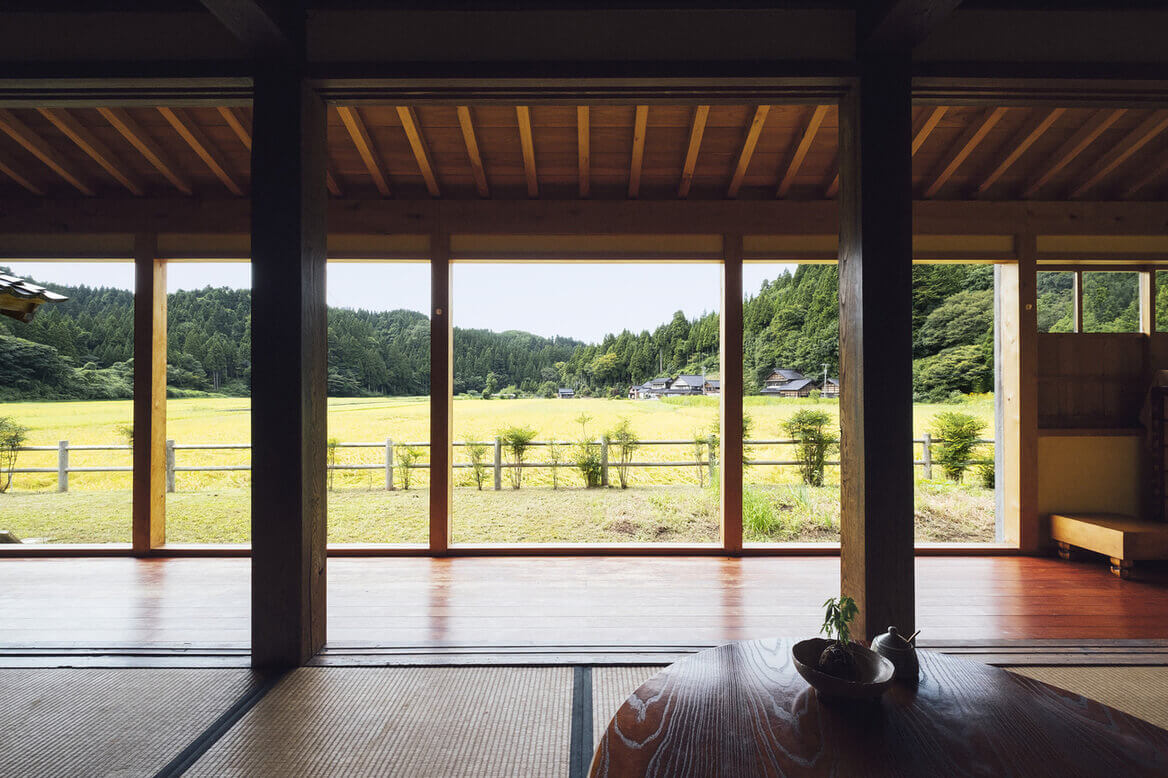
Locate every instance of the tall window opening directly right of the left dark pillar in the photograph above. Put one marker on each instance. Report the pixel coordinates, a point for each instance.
(379, 402)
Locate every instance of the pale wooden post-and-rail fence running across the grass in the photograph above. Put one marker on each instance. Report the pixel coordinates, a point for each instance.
(497, 466)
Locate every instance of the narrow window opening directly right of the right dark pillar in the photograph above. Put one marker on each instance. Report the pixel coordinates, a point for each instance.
(954, 404)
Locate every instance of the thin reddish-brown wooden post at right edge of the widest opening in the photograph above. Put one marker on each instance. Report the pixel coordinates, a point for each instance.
(731, 324)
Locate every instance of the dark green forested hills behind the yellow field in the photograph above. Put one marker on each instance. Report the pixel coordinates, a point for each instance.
(84, 348)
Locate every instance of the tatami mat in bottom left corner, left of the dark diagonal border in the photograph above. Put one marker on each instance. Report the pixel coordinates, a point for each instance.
(108, 723)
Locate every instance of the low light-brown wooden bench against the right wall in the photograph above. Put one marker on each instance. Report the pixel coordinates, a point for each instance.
(1123, 539)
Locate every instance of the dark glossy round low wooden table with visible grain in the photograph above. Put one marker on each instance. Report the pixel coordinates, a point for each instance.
(742, 710)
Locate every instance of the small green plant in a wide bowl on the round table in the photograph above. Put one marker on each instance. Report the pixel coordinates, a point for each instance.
(838, 666)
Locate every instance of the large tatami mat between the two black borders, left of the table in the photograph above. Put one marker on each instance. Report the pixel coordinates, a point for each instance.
(404, 721)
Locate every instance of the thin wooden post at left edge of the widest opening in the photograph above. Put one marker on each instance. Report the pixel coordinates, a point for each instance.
(442, 381)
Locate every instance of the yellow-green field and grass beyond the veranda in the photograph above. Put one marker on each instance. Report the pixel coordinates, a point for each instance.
(663, 505)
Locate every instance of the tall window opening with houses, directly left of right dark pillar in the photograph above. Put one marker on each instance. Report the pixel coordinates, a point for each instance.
(791, 369)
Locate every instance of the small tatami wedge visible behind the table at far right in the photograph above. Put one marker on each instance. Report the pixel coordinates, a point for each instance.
(1137, 691)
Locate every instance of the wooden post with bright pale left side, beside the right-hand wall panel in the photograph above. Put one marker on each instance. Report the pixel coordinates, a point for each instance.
(1019, 348)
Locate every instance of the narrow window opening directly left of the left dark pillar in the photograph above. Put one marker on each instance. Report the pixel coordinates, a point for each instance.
(208, 408)
